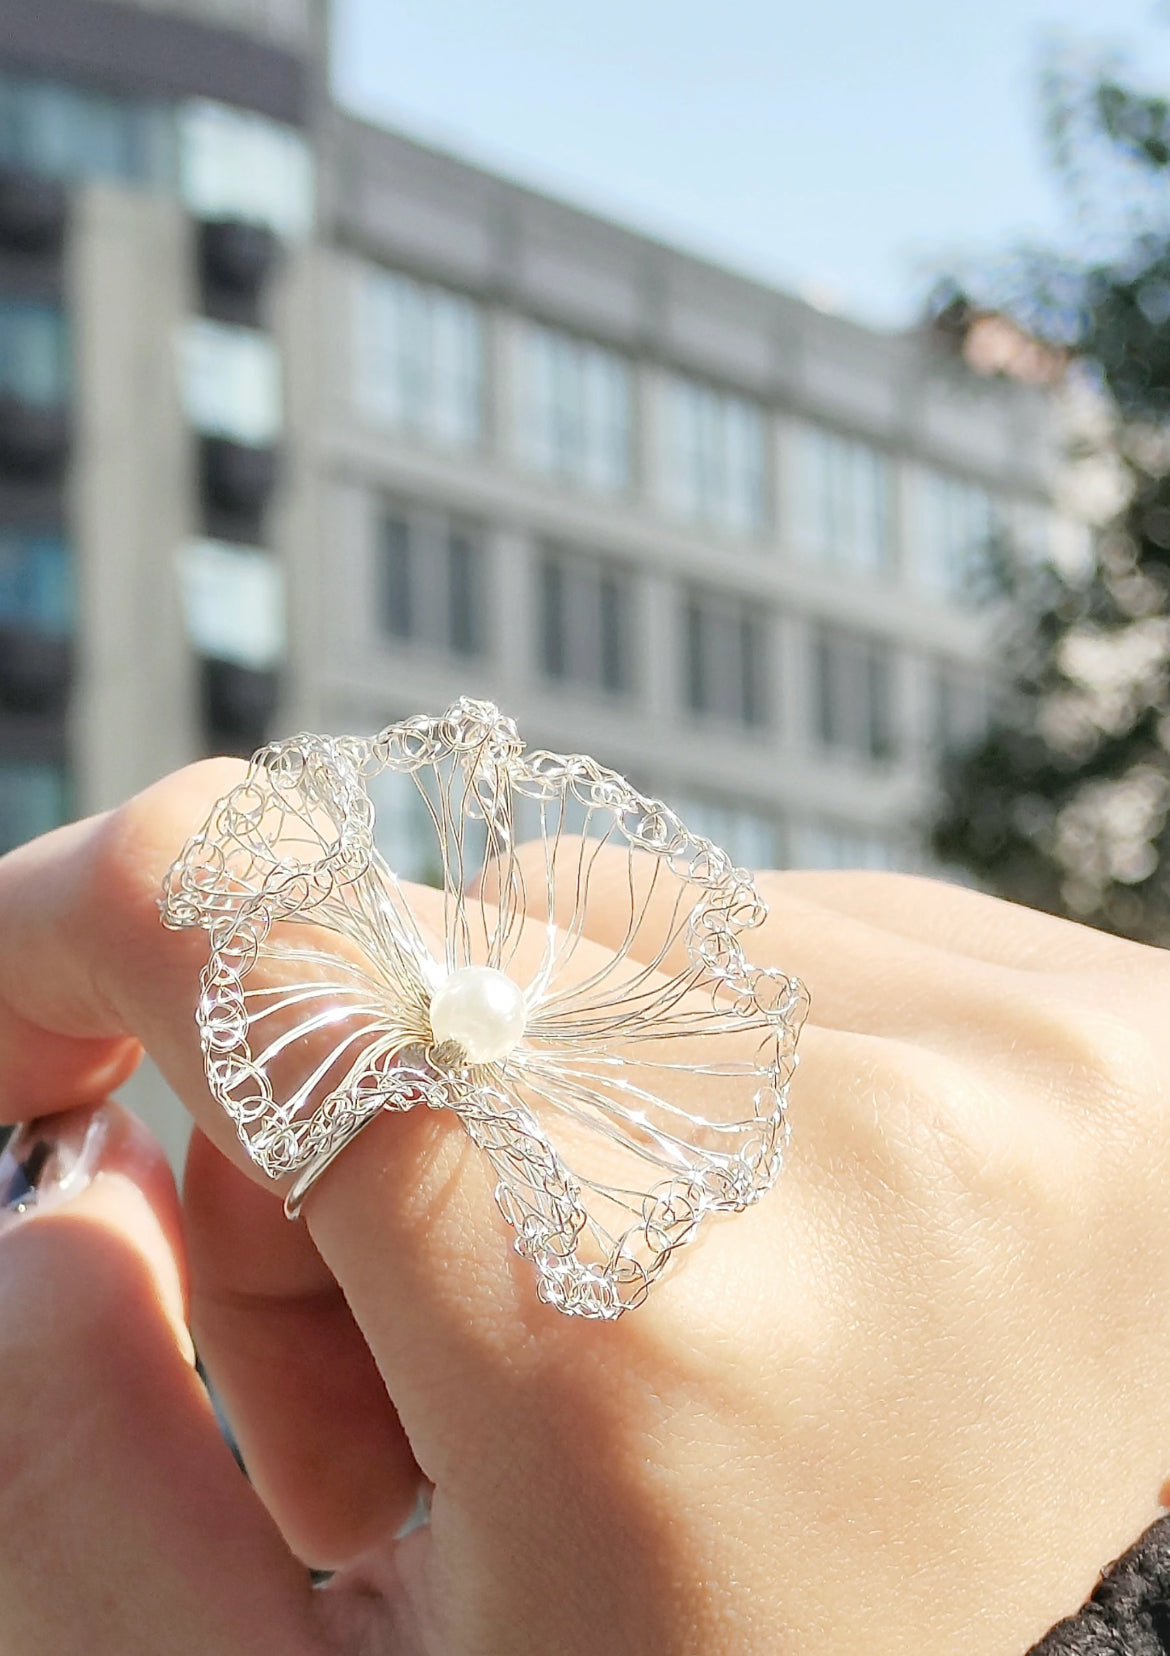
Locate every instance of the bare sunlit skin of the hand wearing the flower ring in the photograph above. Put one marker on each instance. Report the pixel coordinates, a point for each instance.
(913, 1402)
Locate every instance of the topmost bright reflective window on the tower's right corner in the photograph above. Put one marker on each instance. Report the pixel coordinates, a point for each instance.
(237, 165)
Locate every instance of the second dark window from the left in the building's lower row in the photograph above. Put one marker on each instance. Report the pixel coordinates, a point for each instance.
(585, 622)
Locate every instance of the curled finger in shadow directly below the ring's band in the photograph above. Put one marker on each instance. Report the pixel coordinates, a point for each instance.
(312, 1417)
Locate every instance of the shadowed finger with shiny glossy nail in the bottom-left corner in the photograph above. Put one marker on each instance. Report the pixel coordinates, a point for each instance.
(125, 1524)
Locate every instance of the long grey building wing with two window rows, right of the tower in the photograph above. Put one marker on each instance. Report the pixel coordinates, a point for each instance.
(719, 539)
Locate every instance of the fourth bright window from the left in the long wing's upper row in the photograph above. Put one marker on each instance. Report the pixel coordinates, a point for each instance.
(842, 498)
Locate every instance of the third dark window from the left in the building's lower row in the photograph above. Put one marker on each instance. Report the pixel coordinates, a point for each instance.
(726, 658)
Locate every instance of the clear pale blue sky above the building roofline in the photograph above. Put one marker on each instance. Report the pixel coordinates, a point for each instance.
(840, 148)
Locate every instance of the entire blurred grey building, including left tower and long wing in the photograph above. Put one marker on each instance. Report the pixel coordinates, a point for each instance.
(307, 425)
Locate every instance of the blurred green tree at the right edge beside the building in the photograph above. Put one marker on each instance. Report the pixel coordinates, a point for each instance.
(1065, 804)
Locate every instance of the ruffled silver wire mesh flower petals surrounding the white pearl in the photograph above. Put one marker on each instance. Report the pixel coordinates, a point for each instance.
(651, 1084)
